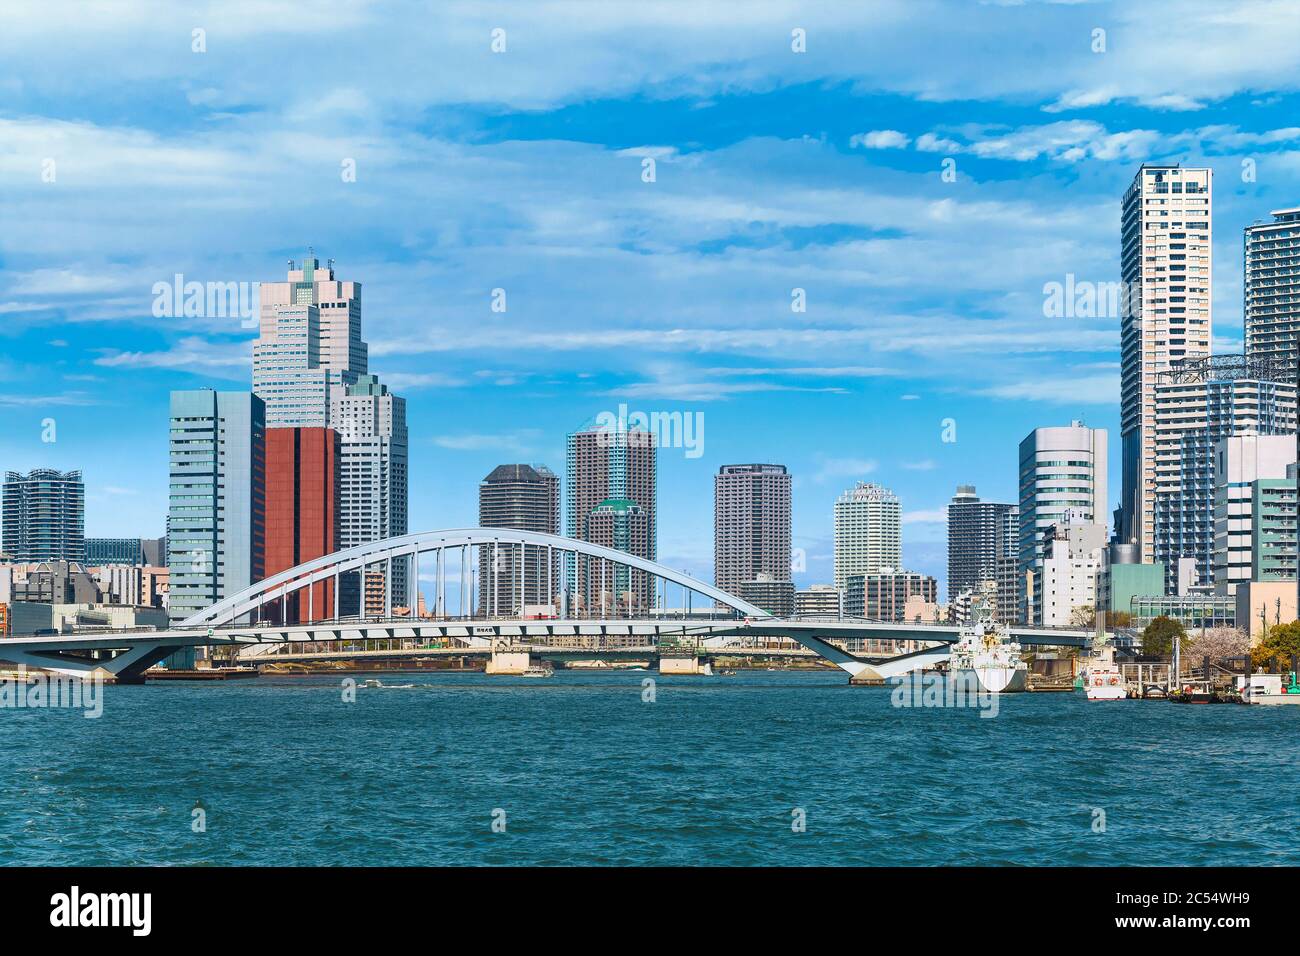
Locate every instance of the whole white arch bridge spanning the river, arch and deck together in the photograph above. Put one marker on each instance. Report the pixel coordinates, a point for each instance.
(596, 598)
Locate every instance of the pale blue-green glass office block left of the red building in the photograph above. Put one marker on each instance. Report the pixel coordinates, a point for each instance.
(218, 505)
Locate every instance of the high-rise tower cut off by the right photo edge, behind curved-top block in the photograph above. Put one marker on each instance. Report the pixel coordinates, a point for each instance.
(1273, 288)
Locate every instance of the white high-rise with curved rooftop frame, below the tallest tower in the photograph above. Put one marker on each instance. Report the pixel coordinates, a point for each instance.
(1198, 405)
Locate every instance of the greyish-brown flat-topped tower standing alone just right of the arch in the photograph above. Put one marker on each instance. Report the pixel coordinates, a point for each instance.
(752, 525)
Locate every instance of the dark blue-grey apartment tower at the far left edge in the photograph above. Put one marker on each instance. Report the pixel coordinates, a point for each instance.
(45, 516)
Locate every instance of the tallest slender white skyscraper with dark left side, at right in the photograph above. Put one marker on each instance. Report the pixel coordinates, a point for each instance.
(1167, 275)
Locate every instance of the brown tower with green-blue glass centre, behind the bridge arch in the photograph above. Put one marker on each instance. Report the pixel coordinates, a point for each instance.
(612, 471)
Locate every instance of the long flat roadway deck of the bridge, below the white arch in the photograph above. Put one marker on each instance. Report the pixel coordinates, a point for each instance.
(136, 651)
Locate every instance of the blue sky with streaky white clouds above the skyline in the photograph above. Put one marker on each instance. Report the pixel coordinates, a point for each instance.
(523, 171)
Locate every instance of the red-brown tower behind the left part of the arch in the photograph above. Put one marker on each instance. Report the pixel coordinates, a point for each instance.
(302, 513)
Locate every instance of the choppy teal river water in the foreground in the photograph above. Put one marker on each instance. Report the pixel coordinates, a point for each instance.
(756, 769)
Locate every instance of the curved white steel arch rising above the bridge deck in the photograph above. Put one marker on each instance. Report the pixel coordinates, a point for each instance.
(410, 548)
